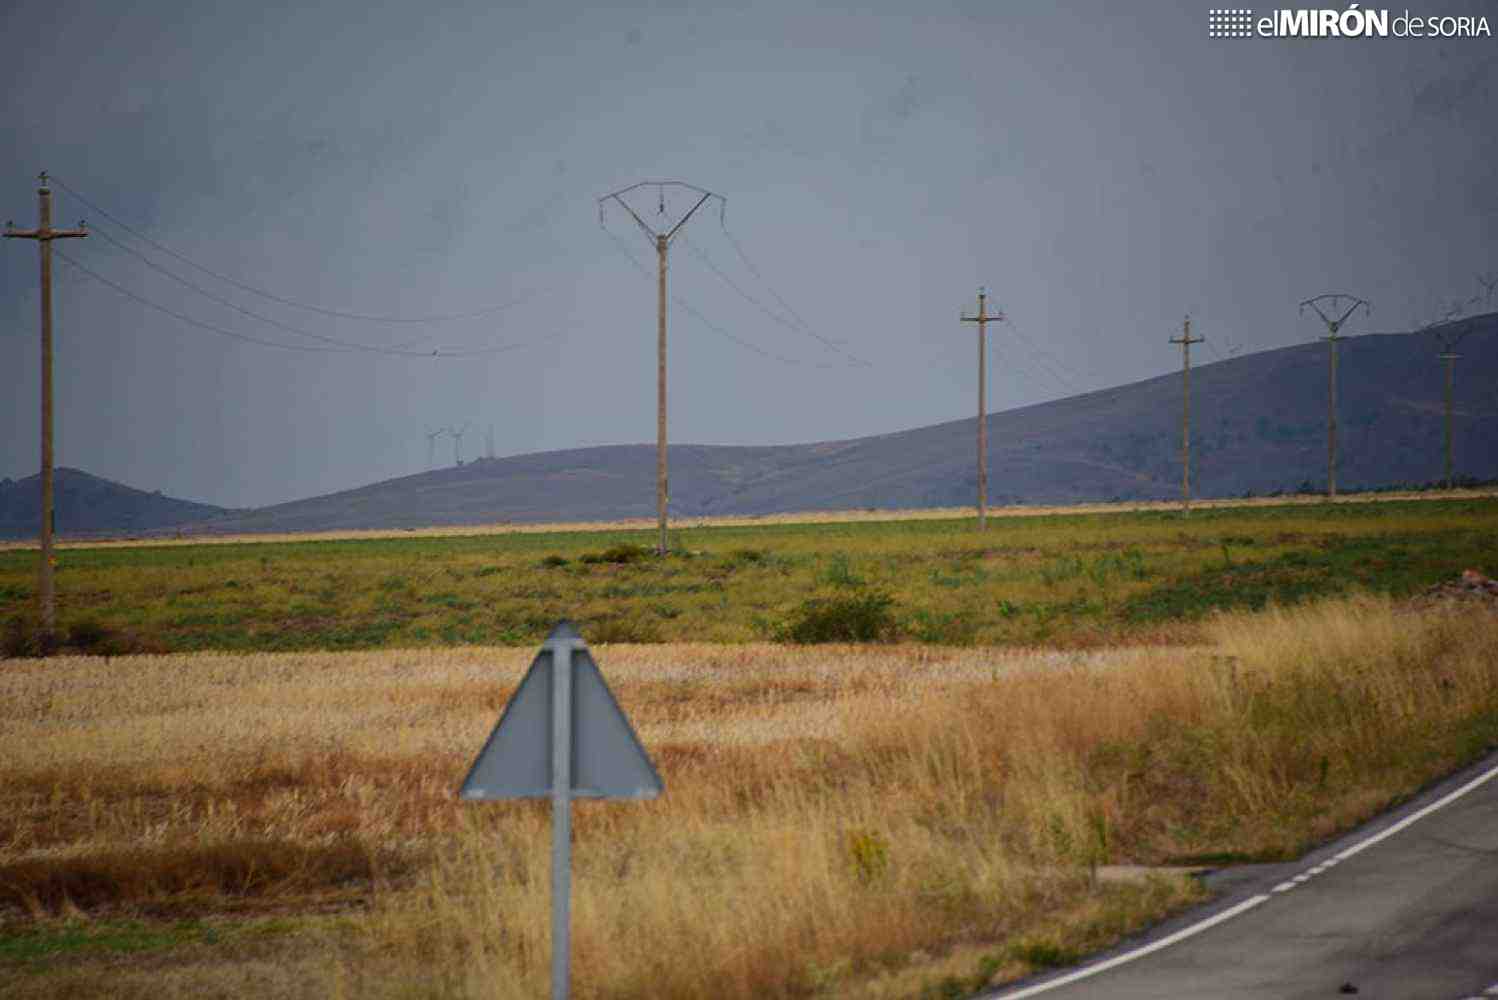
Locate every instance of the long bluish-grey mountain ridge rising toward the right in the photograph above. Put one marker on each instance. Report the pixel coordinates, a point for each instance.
(1259, 424)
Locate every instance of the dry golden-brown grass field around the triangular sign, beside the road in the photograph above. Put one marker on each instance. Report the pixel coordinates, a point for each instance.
(883, 821)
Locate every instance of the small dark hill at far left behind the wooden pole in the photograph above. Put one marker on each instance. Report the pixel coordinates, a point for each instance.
(91, 505)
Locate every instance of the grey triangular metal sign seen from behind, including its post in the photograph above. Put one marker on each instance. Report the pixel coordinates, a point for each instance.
(562, 737)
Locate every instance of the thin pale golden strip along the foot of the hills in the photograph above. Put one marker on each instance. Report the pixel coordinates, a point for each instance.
(802, 517)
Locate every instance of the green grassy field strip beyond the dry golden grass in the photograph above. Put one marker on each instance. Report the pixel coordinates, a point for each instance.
(1057, 580)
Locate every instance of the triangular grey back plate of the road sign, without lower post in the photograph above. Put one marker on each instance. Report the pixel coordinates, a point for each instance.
(607, 760)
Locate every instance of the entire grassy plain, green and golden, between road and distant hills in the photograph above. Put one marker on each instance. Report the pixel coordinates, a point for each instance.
(1037, 733)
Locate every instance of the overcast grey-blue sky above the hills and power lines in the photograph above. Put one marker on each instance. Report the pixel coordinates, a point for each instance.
(1102, 168)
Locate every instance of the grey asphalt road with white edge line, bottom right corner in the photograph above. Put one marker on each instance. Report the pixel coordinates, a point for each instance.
(1403, 909)
